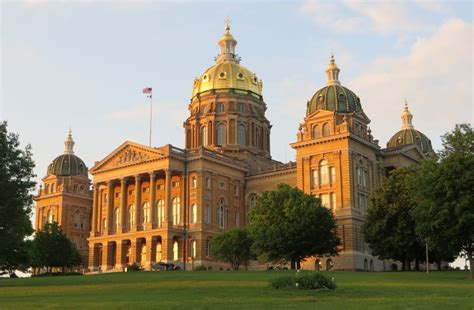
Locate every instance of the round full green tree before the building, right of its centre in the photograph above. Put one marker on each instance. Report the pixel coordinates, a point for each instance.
(289, 225)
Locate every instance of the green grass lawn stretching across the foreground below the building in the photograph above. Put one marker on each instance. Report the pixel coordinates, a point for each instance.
(238, 290)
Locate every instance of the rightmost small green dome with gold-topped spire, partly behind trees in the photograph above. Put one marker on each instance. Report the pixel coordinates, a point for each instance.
(409, 135)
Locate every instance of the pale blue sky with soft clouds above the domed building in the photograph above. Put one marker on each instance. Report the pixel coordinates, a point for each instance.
(84, 63)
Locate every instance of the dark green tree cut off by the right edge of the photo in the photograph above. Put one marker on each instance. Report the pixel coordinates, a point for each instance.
(445, 215)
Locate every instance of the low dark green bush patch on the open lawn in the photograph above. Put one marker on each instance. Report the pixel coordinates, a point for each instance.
(307, 280)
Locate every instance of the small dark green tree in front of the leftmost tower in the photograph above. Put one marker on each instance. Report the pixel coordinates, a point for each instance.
(52, 249)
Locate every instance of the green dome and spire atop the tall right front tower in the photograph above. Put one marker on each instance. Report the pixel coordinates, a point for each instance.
(334, 96)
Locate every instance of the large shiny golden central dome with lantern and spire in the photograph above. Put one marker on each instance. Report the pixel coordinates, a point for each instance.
(227, 73)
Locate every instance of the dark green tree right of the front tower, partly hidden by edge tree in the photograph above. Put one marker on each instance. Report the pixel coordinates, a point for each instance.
(389, 227)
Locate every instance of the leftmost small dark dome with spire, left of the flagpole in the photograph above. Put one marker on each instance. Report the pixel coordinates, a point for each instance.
(68, 164)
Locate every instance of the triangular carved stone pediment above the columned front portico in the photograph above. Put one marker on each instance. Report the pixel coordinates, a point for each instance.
(129, 153)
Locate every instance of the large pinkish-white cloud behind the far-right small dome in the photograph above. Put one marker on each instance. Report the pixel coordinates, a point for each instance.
(436, 77)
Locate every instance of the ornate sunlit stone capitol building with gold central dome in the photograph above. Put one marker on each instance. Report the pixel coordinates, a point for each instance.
(165, 204)
